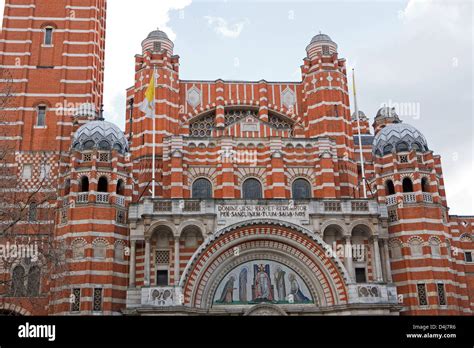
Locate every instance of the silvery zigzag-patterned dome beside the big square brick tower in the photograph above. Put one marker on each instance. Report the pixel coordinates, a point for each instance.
(100, 135)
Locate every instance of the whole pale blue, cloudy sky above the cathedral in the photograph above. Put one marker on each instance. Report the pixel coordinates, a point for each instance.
(415, 55)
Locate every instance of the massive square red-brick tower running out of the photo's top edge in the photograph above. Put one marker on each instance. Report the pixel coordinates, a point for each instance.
(52, 67)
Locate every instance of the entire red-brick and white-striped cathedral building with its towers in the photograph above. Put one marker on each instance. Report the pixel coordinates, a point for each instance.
(235, 198)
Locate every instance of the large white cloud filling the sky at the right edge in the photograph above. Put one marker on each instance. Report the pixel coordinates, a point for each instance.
(427, 60)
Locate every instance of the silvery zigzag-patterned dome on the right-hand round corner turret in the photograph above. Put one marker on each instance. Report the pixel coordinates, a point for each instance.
(399, 137)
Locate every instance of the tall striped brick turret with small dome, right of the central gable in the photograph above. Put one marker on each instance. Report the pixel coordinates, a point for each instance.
(327, 114)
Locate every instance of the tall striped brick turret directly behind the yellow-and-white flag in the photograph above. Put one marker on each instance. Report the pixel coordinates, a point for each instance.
(157, 61)
